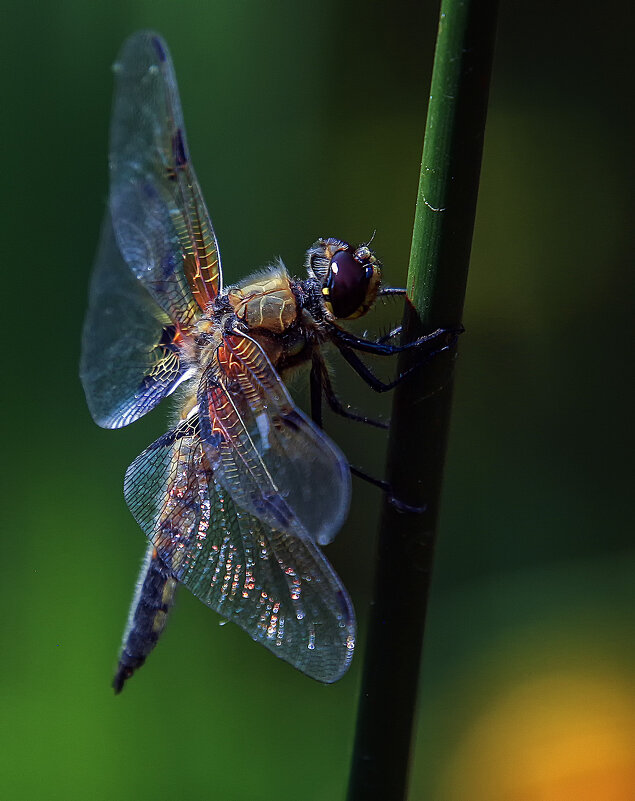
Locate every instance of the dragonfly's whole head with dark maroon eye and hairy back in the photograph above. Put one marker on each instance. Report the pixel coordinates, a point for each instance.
(350, 277)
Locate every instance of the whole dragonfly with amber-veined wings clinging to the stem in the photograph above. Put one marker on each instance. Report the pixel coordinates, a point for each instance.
(238, 497)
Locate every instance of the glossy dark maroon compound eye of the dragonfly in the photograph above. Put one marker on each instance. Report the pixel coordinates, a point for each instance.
(351, 283)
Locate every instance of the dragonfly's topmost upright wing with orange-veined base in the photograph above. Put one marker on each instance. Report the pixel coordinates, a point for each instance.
(159, 216)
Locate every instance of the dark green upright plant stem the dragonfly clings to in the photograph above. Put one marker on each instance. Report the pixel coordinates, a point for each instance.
(444, 221)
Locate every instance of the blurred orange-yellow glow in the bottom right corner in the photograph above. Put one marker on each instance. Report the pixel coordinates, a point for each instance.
(559, 737)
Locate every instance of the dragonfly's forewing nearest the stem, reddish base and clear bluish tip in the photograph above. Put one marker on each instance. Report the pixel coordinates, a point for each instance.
(274, 462)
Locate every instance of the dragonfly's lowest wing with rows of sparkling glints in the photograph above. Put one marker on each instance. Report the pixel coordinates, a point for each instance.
(279, 588)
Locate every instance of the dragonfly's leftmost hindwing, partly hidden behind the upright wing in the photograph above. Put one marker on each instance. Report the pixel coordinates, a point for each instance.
(129, 359)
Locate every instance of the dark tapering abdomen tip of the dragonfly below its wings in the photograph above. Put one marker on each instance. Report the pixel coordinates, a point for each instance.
(150, 607)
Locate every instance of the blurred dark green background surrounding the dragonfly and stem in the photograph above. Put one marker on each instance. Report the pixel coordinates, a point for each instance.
(306, 119)
